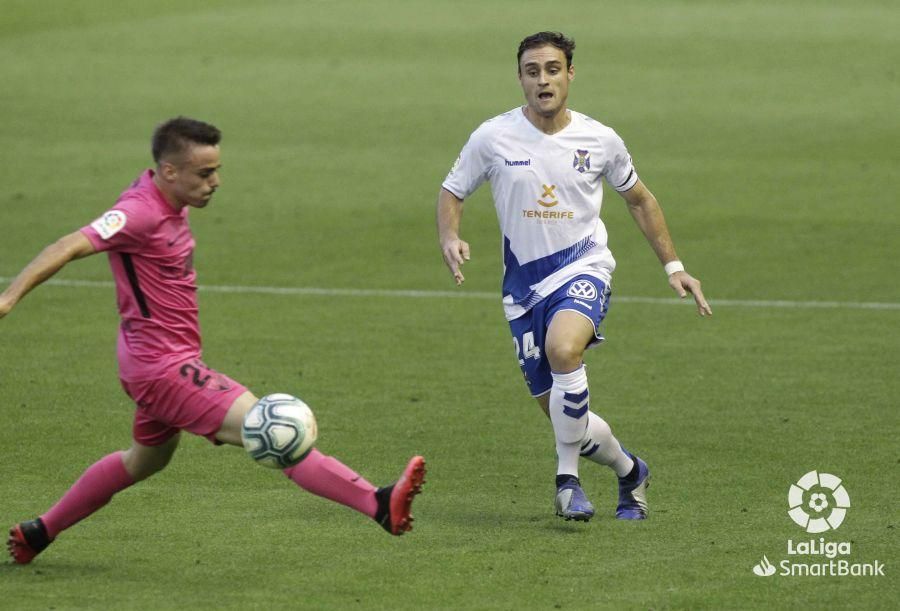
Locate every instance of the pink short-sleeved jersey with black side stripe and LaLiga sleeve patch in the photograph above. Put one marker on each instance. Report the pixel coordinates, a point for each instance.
(150, 248)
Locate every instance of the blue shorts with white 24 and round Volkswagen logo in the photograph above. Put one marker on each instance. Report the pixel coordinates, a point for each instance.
(587, 295)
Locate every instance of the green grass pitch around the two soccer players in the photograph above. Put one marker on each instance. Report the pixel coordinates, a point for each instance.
(766, 129)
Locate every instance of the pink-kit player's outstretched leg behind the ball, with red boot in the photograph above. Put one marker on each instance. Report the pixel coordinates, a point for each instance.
(329, 478)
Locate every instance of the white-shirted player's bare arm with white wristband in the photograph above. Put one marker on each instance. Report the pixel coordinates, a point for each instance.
(649, 217)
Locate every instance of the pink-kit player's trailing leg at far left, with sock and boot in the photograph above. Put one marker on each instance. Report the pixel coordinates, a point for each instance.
(93, 490)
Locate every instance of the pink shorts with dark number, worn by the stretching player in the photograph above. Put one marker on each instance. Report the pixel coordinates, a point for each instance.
(190, 396)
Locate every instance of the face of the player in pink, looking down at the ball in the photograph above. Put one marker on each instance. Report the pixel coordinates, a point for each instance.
(194, 178)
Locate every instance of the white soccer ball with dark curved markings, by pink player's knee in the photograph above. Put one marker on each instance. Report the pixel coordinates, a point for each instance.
(279, 431)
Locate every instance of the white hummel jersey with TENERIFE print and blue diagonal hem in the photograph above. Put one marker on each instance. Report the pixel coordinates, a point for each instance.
(547, 190)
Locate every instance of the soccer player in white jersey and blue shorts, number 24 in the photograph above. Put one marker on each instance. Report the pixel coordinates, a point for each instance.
(546, 164)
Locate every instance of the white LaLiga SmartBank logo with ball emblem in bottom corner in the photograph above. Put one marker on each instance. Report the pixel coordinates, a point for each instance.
(818, 502)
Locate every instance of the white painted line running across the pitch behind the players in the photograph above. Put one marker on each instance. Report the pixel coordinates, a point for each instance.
(464, 294)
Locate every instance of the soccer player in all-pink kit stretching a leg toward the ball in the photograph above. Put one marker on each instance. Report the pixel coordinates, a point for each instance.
(150, 247)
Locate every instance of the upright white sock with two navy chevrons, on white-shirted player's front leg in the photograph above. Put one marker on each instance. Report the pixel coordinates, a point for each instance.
(569, 401)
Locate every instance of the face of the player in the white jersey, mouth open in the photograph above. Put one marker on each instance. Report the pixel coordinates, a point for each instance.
(545, 79)
